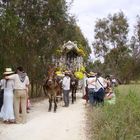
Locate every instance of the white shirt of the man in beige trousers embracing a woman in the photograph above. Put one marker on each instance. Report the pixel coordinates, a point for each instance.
(17, 83)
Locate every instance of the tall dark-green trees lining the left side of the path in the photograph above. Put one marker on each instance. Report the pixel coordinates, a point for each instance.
(31, 32)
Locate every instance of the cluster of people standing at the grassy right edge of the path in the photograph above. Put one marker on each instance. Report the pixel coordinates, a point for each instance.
(98, 89)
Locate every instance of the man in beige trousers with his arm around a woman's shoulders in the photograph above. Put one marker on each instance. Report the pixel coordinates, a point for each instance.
(21, 82)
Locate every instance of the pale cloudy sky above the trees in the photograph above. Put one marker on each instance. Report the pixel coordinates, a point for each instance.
(88, 11)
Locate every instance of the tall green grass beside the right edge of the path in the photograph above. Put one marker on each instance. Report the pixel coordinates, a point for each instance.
(120, 121)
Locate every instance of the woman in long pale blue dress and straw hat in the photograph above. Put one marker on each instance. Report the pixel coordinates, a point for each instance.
(7, 110)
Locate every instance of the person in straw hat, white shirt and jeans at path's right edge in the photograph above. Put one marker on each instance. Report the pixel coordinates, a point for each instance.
(91, 85)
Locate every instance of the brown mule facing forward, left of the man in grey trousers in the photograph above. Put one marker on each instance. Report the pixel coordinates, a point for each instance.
(52, 89)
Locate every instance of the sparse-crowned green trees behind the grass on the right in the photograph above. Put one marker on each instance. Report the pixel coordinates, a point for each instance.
(121, 59)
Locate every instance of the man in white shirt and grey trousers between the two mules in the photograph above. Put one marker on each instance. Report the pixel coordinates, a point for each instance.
(66, 88)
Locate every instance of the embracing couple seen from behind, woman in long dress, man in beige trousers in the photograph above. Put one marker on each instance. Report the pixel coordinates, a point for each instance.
(14, 86)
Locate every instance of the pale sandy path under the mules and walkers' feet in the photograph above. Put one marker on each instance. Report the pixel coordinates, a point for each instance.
(65, 124)
